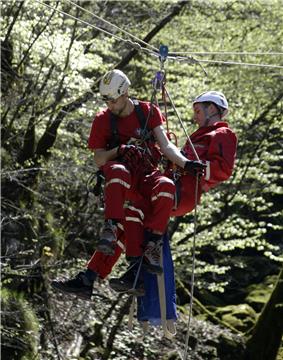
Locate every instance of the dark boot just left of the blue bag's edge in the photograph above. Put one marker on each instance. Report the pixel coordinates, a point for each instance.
(126, 283)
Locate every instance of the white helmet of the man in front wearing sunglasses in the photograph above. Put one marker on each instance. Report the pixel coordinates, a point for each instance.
(113, 84)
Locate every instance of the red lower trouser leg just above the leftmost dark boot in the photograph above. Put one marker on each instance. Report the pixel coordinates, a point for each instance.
(102, 264)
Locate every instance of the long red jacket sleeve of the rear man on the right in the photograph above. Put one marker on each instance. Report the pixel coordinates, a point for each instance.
(221, 157)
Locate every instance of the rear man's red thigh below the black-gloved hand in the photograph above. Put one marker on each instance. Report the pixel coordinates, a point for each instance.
(187, 189)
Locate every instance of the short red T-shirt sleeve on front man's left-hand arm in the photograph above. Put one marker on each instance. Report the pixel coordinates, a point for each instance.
(99, 134)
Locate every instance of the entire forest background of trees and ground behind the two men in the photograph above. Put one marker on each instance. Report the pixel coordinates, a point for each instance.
(51, 63)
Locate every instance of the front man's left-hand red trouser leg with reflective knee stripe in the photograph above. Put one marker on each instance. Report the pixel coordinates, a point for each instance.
(117, 183)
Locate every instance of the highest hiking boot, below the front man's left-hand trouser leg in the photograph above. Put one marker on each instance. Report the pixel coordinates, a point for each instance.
(108, 238)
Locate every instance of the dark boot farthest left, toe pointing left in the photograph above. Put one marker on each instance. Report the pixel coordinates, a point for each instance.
(80, 286)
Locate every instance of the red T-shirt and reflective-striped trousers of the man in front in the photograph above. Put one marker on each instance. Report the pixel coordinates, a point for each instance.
(153, 192)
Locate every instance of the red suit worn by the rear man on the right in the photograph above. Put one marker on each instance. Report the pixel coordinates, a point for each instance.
(217, 145)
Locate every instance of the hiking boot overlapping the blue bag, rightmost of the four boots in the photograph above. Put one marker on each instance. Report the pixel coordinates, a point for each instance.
(152, 254)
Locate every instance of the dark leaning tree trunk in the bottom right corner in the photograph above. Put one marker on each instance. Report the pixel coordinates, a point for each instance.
(266, 336)
